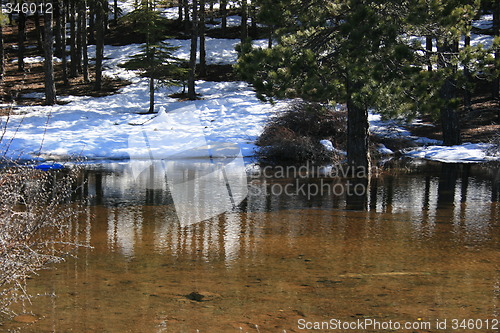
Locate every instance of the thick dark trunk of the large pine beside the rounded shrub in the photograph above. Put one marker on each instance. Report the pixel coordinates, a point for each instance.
(358, 154)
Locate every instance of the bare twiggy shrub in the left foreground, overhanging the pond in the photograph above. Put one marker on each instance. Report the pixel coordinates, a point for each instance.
(37, 223)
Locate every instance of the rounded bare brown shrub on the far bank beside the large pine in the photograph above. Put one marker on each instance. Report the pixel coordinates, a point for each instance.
(294, 135)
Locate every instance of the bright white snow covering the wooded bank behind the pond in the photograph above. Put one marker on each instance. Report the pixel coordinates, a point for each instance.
(104, 127)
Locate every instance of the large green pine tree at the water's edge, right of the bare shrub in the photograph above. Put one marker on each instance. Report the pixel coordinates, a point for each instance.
(342, 53)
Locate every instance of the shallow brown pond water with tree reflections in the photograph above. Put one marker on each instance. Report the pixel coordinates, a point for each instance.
(421, 246)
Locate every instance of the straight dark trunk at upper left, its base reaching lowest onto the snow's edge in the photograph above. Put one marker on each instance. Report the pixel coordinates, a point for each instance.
(50, 88)
